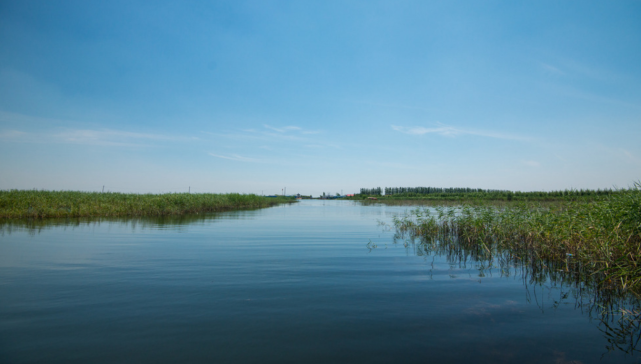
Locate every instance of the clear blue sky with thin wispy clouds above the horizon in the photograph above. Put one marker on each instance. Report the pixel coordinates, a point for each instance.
(319, 96)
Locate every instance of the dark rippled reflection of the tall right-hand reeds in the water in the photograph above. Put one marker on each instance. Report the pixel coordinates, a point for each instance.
(547, 284)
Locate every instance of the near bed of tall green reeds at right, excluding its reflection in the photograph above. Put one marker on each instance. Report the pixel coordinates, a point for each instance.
(597, 240)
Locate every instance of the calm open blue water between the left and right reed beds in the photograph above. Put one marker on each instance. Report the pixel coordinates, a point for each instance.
(290, 284)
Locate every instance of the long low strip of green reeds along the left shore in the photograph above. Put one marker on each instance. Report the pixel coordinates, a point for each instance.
(45, 204)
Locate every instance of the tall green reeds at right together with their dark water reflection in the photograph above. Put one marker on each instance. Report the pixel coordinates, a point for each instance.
(590, 250)
